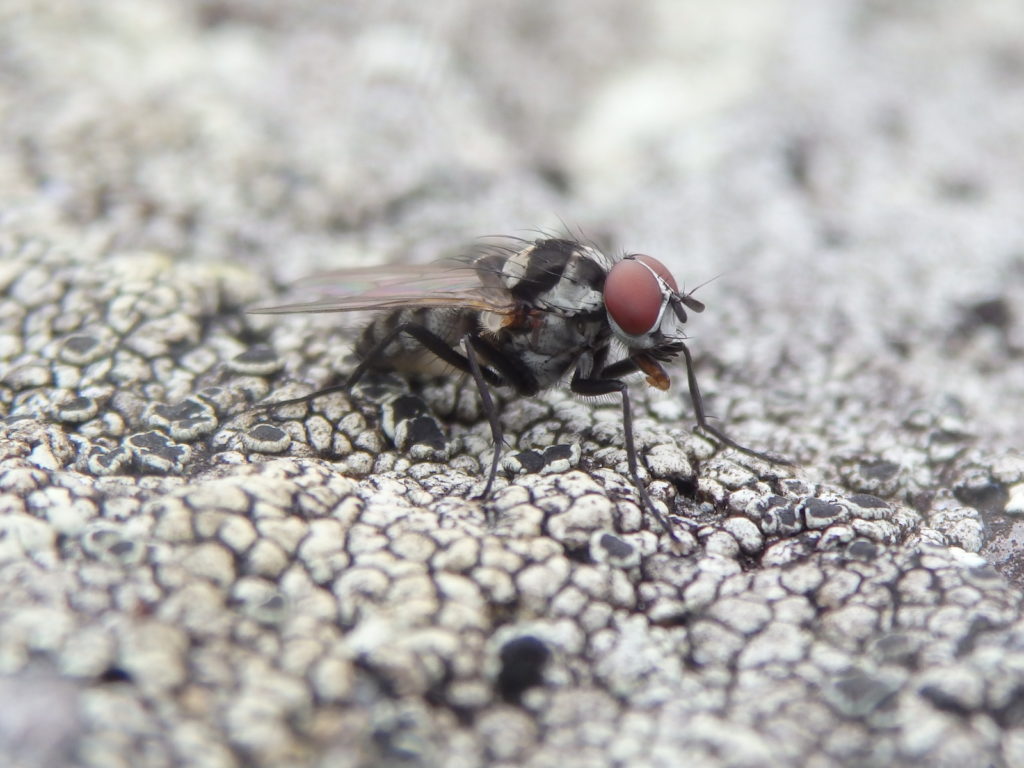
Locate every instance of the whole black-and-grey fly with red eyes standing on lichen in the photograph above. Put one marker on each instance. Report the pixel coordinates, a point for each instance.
(528, 317)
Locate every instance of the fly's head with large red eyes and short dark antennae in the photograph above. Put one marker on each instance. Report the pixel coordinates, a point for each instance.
(646, 309)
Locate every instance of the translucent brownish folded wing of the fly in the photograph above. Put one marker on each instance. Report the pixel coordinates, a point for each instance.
(399, 287)
